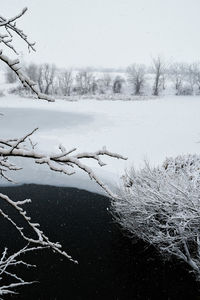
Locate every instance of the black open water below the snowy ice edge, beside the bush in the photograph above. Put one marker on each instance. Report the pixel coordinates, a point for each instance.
(110, 266)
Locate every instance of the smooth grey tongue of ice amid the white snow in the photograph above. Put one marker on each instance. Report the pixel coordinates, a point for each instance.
(23, 120)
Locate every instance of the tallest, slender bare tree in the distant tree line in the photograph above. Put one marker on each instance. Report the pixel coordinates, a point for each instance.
(158, 69)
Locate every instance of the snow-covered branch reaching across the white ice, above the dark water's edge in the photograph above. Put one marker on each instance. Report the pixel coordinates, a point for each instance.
(64, 161)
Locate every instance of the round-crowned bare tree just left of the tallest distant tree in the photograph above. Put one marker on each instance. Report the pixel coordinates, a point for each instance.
(136, 77)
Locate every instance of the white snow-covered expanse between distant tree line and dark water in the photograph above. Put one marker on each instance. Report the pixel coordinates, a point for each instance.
(141, 130)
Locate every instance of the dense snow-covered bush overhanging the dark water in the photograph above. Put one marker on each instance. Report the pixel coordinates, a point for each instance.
(161, 206)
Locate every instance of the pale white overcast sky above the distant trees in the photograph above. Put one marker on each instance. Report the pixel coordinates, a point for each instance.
(109, 33)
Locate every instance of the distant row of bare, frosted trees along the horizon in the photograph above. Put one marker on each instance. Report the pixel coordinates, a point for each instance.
(138, 79)
